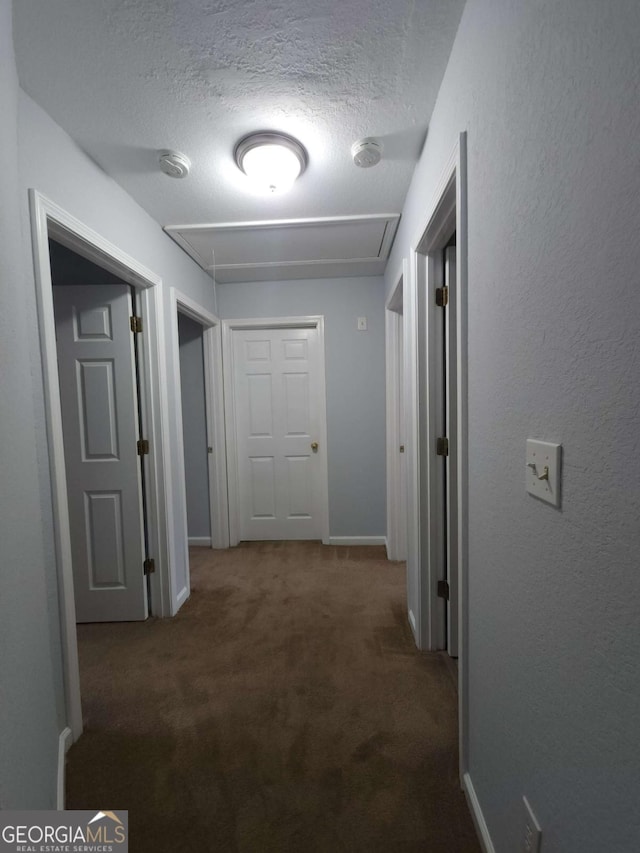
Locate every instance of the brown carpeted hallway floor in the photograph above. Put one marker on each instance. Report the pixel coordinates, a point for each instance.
(284, 709)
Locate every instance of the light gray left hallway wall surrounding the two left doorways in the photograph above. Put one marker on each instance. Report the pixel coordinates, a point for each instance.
(45, 158)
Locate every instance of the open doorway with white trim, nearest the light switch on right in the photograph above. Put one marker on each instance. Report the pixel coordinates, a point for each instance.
(436, 301)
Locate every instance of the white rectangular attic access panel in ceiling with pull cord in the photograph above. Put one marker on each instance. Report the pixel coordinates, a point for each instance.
(303, 248)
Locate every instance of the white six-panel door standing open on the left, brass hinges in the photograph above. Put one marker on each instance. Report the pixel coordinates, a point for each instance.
(100, 423)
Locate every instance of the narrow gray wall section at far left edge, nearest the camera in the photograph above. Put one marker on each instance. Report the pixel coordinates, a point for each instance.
(29, 636)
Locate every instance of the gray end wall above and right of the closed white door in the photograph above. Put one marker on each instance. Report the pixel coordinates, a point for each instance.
(355, 371)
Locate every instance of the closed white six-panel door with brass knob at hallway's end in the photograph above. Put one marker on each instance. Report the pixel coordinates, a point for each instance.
(278, 438)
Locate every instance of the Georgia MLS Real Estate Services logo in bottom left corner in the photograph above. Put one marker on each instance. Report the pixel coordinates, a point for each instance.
(64, 832)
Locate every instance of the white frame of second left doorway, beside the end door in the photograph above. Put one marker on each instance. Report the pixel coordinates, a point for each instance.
(214, 407)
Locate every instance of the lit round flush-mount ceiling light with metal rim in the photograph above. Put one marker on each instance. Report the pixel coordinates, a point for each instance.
(272, 161)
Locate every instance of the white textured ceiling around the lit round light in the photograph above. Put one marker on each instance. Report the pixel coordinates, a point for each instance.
(126, 78)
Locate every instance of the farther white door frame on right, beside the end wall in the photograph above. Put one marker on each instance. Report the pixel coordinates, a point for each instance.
(395, 386)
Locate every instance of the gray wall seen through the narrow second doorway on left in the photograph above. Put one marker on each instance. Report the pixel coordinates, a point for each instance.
(194, 426)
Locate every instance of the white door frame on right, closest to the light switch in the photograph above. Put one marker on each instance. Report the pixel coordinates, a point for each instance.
(446, 213)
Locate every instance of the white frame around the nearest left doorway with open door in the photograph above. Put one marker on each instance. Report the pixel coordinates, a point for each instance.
(50, 220)
